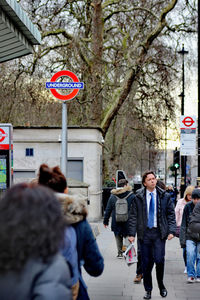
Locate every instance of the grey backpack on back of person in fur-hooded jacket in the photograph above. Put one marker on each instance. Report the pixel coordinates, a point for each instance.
(121, 209)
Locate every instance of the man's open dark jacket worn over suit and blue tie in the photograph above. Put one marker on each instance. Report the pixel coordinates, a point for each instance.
(165, 214)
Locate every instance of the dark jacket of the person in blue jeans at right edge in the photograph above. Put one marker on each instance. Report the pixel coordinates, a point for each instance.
(185, 232)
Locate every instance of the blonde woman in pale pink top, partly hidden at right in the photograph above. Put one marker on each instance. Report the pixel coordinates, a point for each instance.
(187, 197)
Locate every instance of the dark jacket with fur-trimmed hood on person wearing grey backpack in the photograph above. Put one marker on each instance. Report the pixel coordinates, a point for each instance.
(118, 227)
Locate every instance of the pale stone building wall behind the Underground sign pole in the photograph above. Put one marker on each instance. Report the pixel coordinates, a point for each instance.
(33, 146)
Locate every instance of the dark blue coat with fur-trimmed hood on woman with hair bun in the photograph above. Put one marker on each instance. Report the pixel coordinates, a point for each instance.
(89, 256)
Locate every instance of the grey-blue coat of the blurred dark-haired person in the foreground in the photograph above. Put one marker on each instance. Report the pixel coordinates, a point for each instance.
(38, 281)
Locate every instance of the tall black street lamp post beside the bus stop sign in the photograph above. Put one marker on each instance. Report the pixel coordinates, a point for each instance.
(182, 95)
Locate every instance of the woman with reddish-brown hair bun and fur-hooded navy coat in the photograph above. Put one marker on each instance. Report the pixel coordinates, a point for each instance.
(75, 213)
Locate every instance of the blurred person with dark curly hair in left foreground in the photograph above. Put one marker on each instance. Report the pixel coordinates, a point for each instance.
(31, 232)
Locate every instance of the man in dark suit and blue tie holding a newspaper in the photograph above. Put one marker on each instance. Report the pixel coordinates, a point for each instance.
(152, 217)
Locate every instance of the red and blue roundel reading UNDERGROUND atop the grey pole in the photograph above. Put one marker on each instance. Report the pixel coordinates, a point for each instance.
(75, 85)
